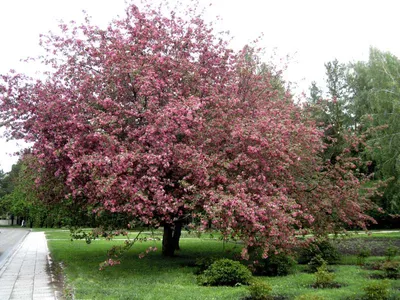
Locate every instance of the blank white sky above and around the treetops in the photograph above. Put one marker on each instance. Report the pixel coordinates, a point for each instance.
(312, 32)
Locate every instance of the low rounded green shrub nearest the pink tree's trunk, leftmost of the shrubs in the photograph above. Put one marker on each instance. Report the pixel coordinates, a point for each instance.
(225, 272)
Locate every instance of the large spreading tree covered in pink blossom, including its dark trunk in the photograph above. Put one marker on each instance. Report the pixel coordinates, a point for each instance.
(156, 118)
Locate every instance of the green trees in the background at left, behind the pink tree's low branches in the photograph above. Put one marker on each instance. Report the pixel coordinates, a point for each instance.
(47, 204)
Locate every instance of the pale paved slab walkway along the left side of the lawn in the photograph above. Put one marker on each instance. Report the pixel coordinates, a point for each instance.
(25, 274)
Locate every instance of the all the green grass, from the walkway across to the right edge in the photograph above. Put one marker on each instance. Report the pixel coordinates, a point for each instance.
(156, 277)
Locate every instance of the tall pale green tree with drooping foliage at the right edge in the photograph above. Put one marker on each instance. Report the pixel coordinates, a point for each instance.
(375, 86)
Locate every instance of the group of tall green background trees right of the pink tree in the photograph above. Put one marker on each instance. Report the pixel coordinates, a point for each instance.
(363, 99)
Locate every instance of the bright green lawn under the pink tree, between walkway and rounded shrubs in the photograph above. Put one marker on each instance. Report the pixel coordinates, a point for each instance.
(146, 278)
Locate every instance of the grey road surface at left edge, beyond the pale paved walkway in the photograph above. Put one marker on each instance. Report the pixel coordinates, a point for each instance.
(10, 239)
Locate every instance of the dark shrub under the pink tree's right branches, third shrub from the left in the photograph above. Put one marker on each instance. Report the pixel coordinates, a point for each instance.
(324, 248)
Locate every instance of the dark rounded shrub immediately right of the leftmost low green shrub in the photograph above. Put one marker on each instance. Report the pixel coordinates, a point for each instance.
(275, 265)
